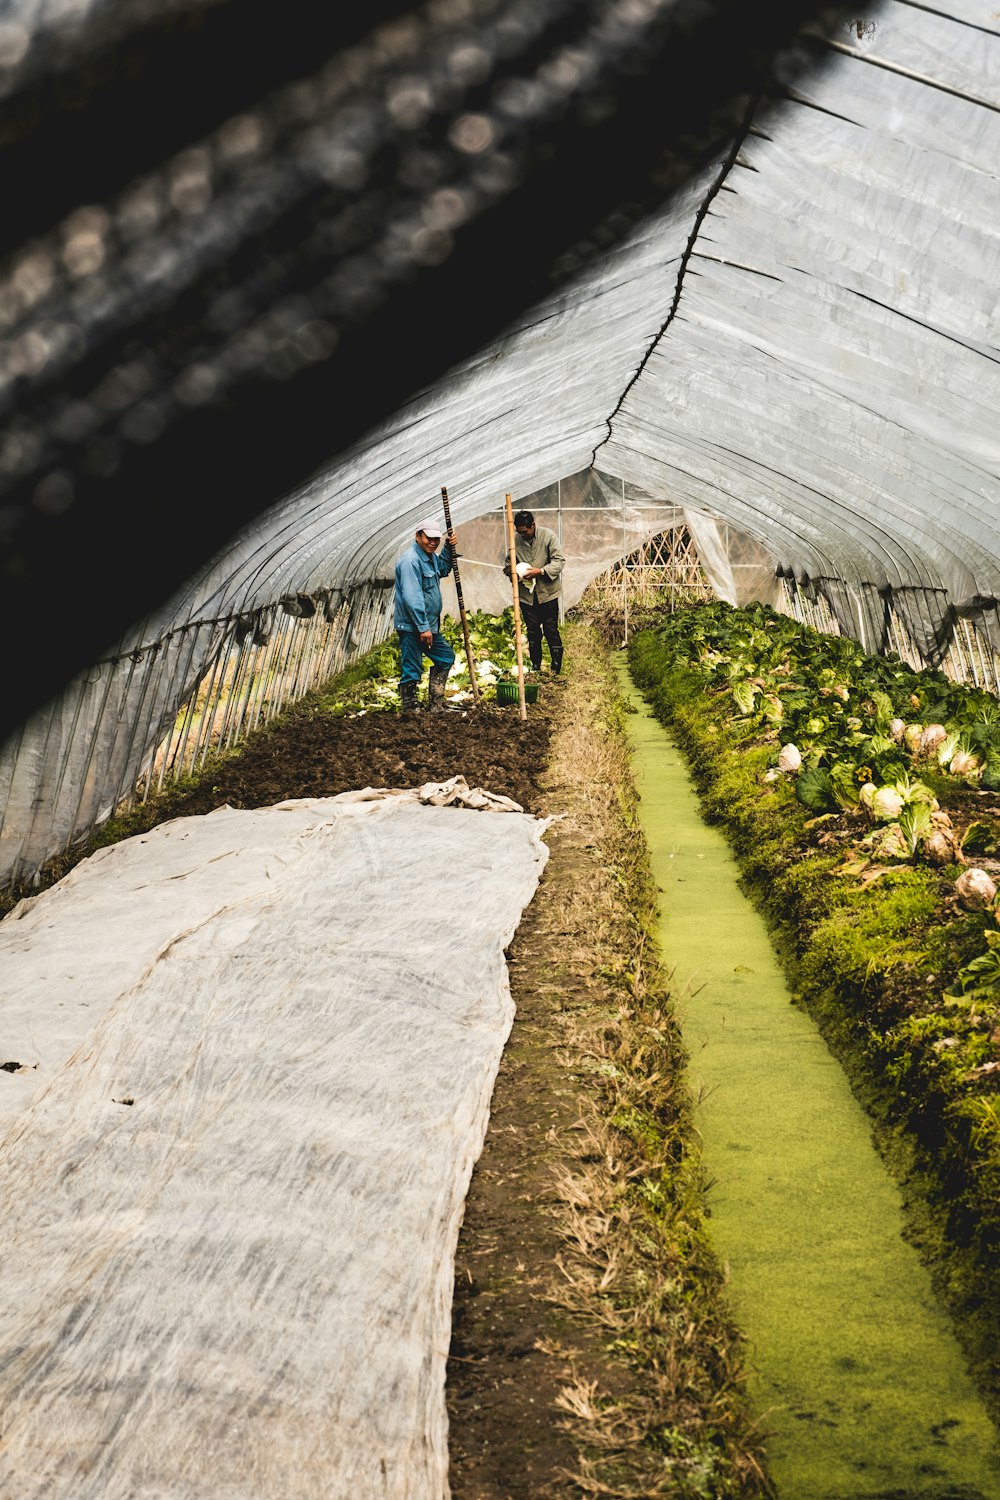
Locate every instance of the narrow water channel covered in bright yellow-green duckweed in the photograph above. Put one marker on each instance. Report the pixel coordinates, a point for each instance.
(857, 1373)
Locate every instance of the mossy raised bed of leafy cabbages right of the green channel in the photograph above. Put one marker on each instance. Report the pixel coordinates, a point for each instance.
(903, 980)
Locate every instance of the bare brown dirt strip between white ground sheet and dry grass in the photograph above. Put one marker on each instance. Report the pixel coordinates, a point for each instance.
(515, 1352)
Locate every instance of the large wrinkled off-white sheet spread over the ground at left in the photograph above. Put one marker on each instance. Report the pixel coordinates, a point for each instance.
(257, 1055)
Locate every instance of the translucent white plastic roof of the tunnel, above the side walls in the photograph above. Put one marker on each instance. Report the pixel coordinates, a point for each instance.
(828, 383)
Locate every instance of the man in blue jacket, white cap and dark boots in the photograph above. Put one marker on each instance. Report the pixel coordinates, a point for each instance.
(418, 616)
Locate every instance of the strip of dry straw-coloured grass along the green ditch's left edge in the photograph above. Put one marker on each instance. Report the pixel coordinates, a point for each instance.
(636, 1259)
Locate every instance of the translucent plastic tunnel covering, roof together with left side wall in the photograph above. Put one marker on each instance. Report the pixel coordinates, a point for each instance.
(800, 353)
